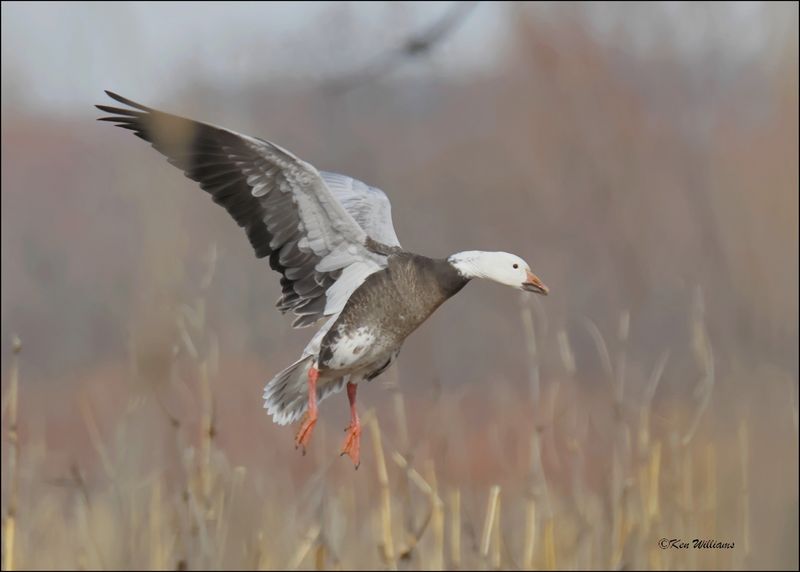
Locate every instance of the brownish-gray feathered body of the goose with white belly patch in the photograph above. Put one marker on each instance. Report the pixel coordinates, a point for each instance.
(383, 311)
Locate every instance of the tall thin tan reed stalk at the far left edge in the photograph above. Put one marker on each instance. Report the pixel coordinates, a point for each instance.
(10, 525)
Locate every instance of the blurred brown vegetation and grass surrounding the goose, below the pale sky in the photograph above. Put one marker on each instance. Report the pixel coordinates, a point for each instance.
(652, 394)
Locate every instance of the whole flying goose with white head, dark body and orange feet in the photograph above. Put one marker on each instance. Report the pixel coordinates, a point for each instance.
(332, 240)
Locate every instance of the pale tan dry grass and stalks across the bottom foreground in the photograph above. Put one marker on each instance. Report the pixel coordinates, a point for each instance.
(467, 481)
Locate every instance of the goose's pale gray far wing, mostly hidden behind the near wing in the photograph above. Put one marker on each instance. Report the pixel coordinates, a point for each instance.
(369, 206)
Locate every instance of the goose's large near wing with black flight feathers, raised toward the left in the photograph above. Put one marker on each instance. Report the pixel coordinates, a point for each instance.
(282, 202)
